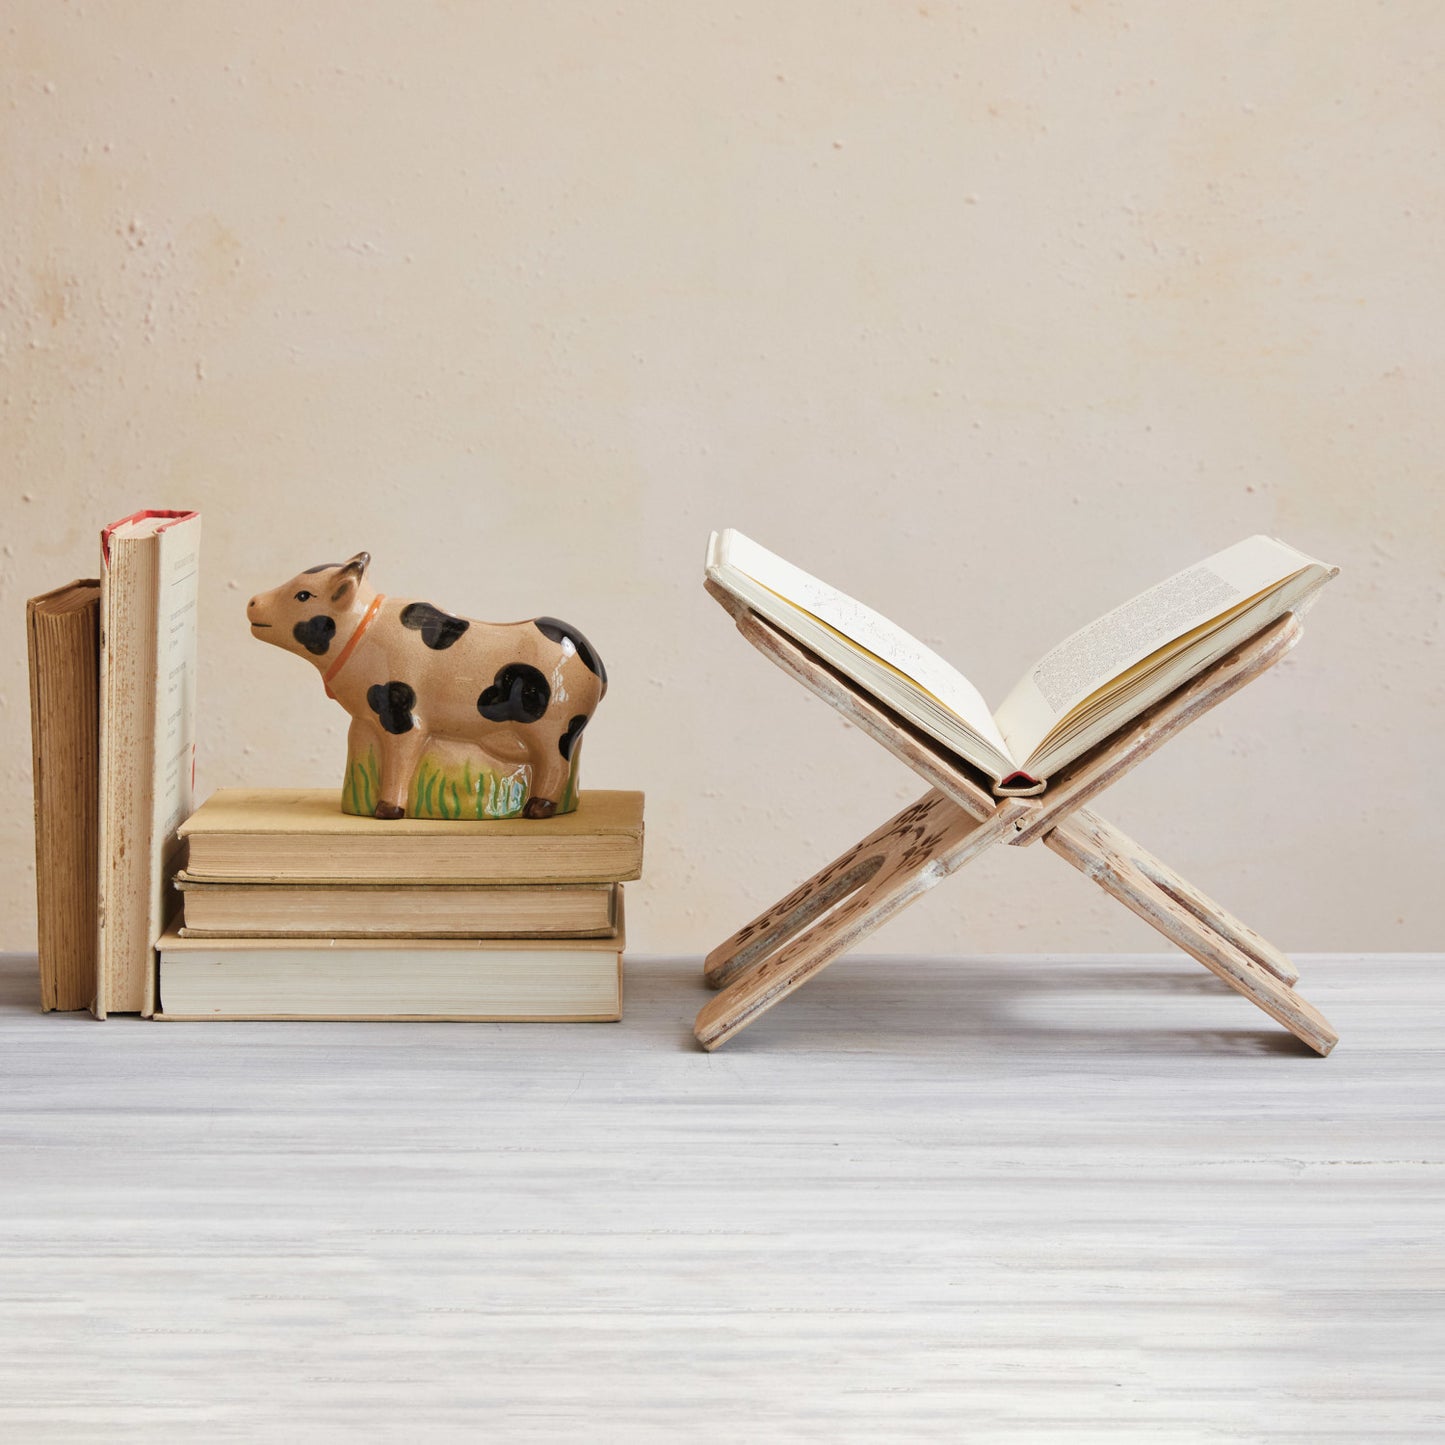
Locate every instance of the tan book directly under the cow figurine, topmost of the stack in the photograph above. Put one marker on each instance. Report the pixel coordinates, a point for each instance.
(291, 836)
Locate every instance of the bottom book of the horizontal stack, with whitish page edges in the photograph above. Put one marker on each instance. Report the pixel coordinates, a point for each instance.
(514, 980)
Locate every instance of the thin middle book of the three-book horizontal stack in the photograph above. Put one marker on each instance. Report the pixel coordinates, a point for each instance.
(397, 911)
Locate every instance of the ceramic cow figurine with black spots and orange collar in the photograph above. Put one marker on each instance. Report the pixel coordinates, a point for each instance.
(450, 717)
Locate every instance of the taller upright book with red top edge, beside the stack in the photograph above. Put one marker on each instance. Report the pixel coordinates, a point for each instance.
(148, 664)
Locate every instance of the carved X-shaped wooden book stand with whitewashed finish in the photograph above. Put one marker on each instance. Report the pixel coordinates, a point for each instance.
(959, 819)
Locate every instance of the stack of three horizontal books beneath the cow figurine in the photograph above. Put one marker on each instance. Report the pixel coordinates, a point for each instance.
(294, 910)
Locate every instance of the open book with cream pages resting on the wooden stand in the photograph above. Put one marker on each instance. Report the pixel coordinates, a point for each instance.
(1076, 696)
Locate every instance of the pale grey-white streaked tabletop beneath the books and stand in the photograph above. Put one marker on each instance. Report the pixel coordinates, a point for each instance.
(1001, 1200)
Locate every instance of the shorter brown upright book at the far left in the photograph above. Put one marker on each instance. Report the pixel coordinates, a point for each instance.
(63, 632)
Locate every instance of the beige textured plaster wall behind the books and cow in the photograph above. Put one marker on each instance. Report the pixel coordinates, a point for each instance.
(993, 314)
